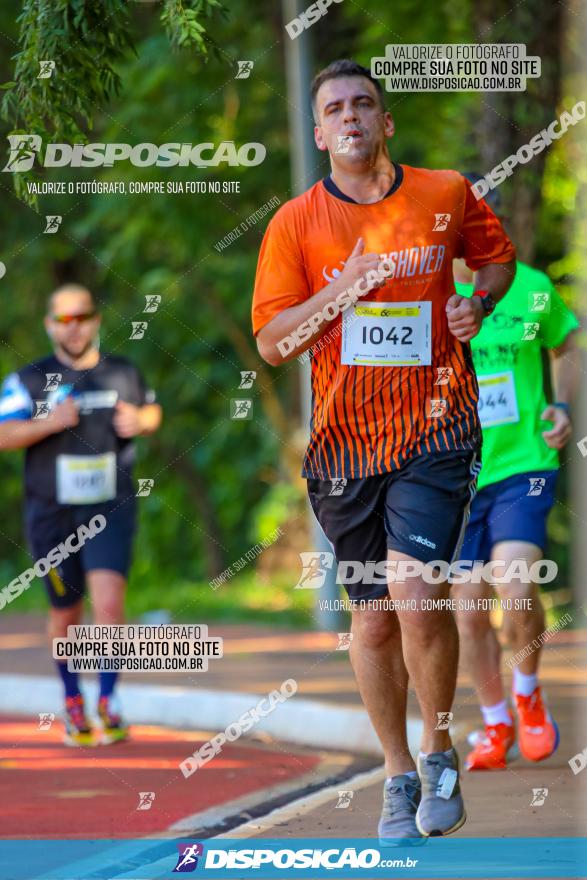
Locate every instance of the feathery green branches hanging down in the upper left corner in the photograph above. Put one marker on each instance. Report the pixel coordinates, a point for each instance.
(86, 40)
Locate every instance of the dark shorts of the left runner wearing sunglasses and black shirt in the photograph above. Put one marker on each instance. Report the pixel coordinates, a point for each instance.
(49, 525)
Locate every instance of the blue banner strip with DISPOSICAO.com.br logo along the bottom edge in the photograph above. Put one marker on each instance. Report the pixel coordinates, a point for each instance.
(151, 859)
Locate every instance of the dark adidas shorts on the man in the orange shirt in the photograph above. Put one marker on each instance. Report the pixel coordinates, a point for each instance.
(421, 510)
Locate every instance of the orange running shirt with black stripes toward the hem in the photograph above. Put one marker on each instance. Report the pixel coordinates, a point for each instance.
(369, 420)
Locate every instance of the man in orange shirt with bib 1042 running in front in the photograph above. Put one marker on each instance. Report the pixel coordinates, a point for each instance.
(366, 254)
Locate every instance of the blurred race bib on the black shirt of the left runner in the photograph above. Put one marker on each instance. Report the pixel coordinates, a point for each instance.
(86, 479)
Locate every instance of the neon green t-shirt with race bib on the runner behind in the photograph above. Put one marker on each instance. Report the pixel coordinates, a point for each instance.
(508, 361)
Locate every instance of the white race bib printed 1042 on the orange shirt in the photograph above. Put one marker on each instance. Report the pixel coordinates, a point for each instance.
(387, 334)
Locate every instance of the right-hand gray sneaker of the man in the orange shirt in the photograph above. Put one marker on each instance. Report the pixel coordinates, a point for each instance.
(441, 809)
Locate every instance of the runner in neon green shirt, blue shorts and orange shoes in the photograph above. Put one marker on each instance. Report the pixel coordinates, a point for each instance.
(522, 434)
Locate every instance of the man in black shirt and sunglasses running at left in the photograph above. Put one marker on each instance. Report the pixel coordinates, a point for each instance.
(76, 413)
